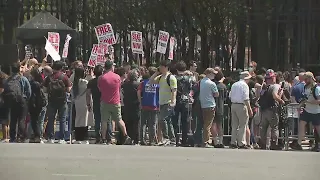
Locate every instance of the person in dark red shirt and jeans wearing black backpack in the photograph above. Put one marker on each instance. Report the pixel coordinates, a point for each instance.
(57, 86)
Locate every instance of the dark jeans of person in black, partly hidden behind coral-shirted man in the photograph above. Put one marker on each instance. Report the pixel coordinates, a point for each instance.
(97, 126)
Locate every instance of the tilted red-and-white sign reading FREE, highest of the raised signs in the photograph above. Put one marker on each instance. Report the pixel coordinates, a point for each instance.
(104, 33)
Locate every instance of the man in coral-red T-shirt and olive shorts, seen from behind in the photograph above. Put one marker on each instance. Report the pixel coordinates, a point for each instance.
(109, 85)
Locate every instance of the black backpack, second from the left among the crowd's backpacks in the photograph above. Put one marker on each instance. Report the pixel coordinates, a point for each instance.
(38, 98)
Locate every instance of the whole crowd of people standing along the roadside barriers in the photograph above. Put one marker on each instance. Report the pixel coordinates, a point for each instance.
(168, 105)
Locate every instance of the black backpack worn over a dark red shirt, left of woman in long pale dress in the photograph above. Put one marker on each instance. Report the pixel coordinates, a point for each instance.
(57, 91)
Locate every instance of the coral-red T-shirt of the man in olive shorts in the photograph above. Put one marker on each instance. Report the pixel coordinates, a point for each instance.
(109, 85)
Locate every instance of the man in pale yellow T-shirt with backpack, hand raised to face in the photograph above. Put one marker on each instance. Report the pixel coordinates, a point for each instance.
(167, 99)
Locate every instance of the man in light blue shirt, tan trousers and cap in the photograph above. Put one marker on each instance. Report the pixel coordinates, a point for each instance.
(208, 92)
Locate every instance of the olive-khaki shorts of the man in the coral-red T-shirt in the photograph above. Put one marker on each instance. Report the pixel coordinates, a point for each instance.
(110, 112)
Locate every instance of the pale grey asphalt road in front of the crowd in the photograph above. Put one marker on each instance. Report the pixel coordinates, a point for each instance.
(98, 162)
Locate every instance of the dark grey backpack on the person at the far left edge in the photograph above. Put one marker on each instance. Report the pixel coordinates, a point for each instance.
(13, 90)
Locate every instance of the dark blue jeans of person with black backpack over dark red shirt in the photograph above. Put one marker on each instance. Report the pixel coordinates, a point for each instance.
(62, 116)
